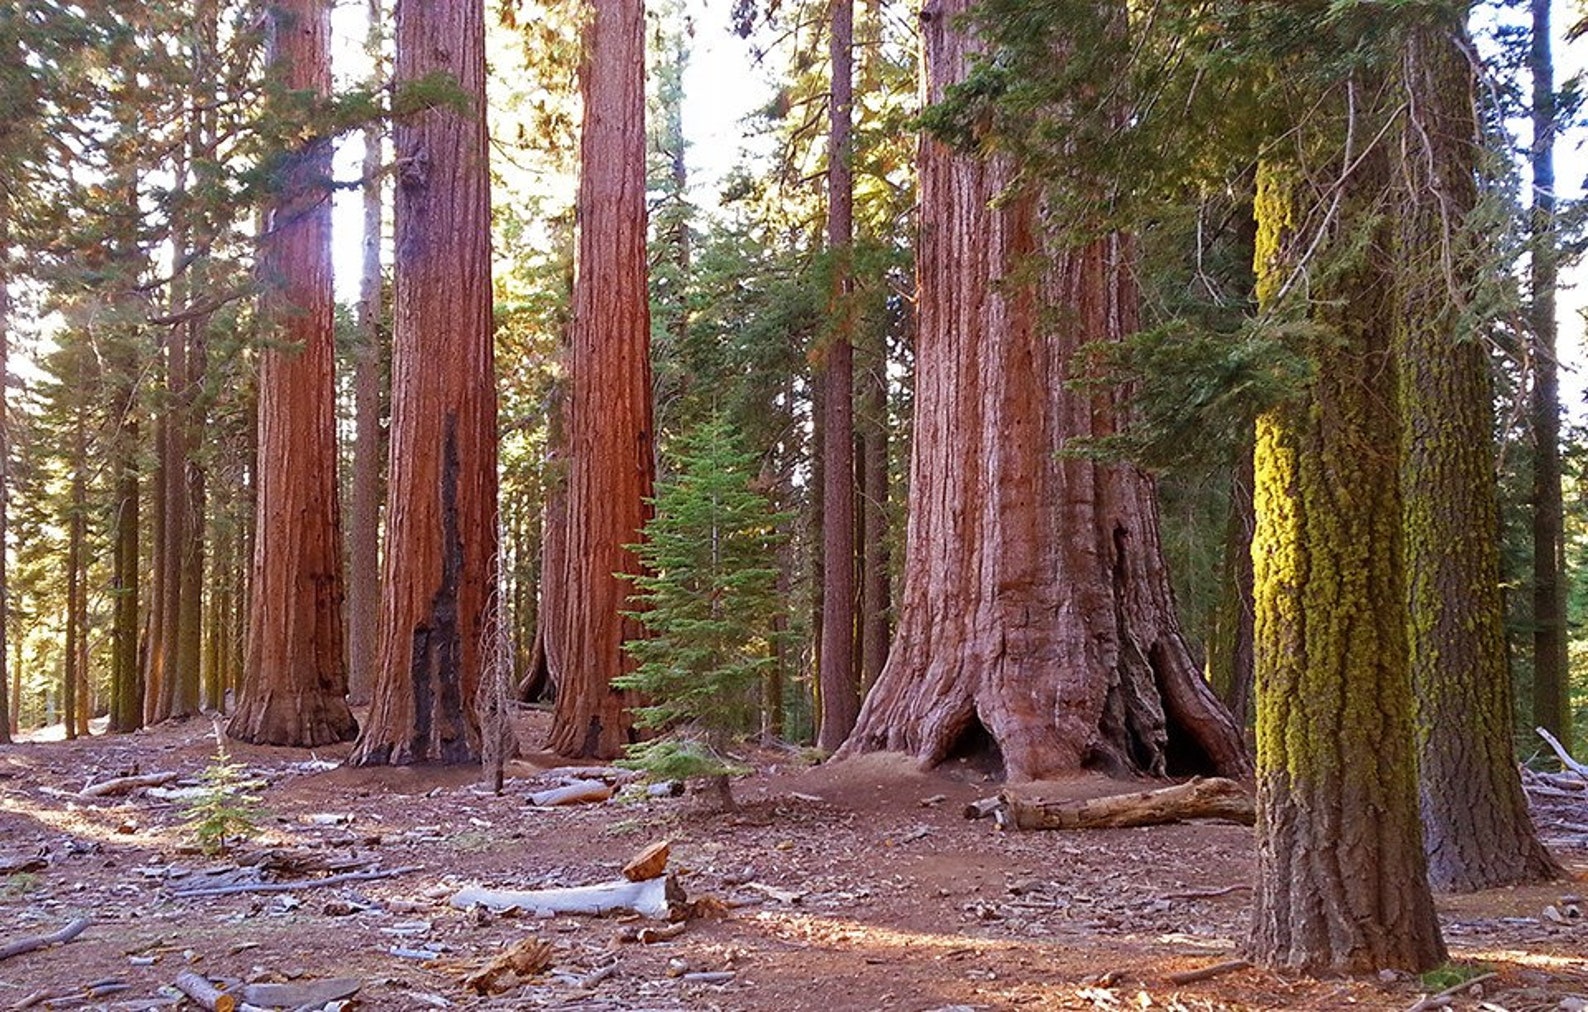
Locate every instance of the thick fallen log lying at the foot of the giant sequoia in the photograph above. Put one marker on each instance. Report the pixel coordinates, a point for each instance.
(1198, 798)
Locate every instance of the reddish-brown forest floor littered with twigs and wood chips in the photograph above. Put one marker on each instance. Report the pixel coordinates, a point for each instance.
(842, 887)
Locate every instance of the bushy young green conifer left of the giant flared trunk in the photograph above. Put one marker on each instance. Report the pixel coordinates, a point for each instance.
(707, 600)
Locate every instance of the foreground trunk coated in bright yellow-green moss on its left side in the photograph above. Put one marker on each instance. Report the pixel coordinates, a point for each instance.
(1341, 871)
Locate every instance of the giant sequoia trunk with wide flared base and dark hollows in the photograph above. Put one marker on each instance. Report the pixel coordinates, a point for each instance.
(1036, 616)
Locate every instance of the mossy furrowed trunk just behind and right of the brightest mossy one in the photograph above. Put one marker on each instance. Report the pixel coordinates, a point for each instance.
(1476, 824)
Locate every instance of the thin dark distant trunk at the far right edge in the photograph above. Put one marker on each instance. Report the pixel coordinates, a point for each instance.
(1551, 671)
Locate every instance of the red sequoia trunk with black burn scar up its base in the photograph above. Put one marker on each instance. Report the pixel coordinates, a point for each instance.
(439, 568)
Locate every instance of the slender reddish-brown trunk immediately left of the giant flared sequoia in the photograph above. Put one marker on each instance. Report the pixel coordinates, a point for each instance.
(841, 692)
